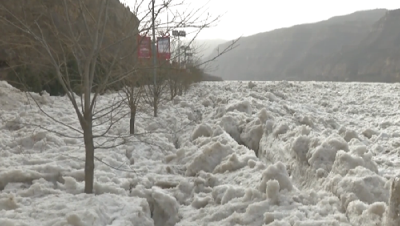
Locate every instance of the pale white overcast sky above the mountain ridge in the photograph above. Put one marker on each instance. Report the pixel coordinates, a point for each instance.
(247, 17)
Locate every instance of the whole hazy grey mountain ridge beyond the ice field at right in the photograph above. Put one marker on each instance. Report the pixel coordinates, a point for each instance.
(363, 46)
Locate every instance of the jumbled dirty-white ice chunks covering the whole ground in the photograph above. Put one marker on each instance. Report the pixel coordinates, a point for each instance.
(226, 153)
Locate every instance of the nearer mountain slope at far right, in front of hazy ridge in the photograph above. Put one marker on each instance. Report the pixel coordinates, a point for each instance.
(375, 59)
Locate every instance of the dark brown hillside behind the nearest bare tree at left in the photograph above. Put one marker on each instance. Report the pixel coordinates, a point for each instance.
(64, 37)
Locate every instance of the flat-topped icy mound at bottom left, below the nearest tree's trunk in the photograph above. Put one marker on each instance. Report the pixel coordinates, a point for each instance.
(79, 210)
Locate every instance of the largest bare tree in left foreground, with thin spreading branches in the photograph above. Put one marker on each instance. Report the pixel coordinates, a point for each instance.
(95, 36)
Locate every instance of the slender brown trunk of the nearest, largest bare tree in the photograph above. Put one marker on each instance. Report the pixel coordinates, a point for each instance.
(89, 160)
